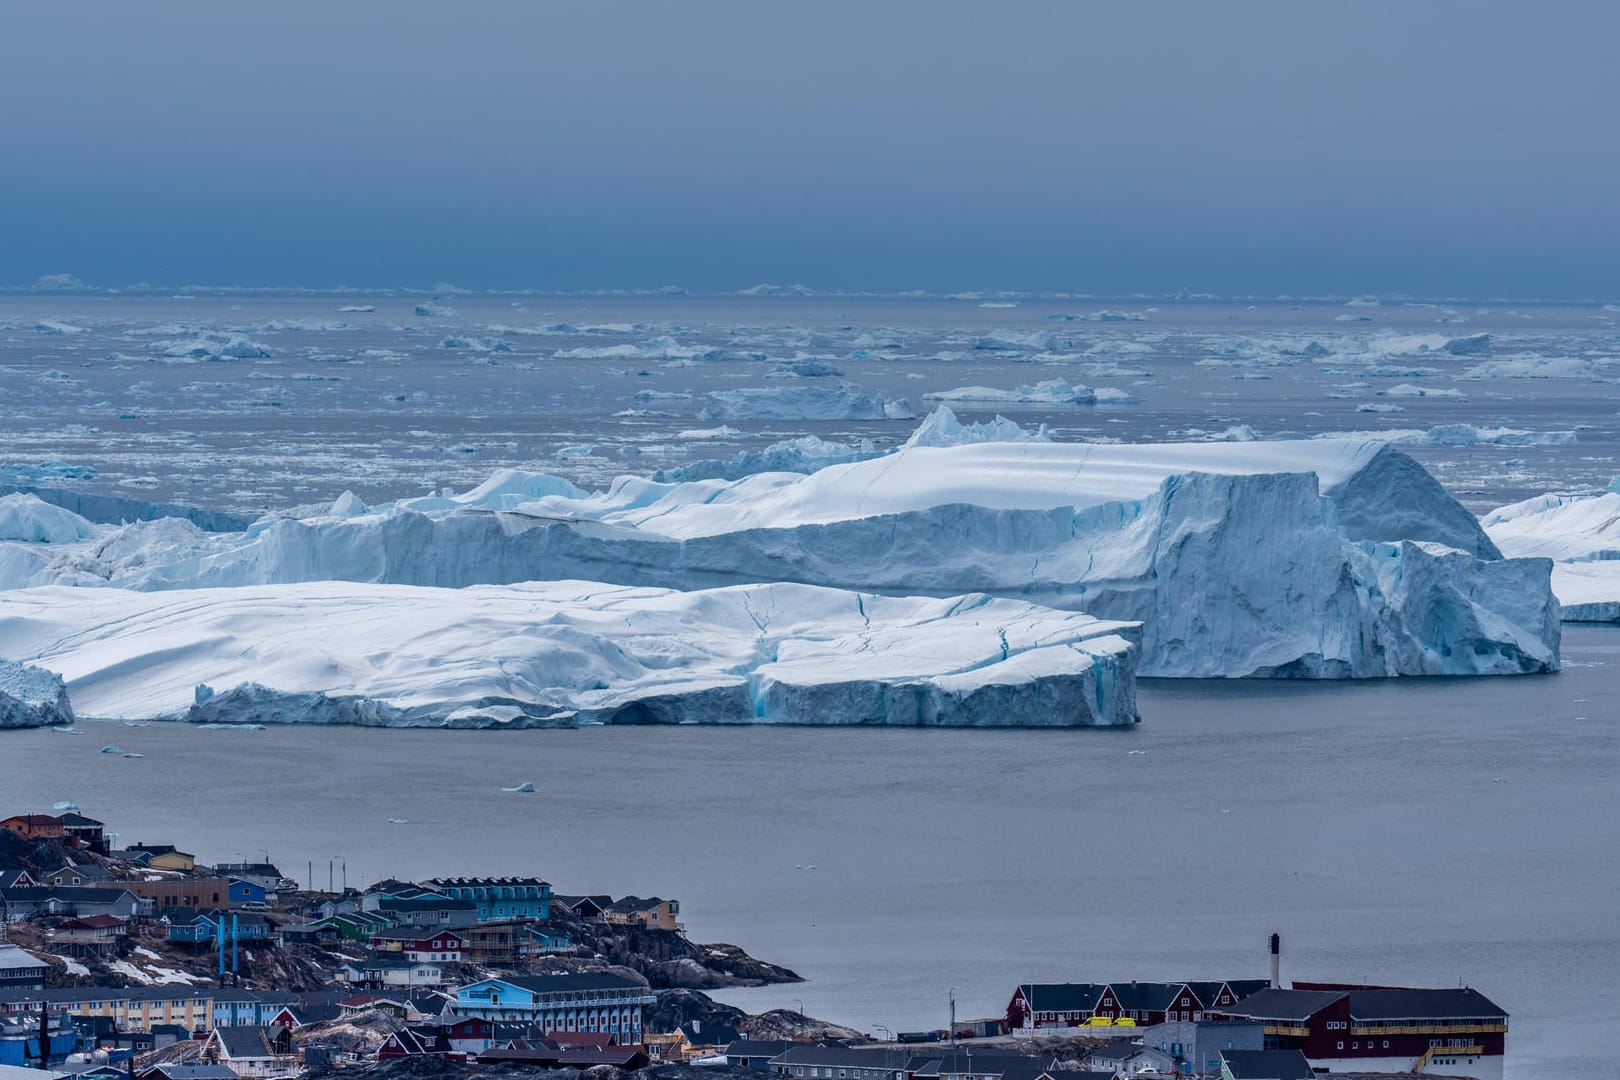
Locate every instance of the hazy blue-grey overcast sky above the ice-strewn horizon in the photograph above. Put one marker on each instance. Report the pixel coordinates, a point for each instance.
(1430, 150)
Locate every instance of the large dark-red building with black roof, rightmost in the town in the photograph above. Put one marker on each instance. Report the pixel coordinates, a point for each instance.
(1383, 1029)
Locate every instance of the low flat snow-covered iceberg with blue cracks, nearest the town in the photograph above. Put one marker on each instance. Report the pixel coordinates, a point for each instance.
(568, 653)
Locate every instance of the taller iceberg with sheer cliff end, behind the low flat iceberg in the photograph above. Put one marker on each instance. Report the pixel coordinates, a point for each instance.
(1305, 559)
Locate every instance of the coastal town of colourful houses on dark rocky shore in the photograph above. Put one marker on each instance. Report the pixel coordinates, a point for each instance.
(143, 963)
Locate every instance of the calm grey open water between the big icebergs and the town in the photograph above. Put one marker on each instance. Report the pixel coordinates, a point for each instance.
(1426, 831)
